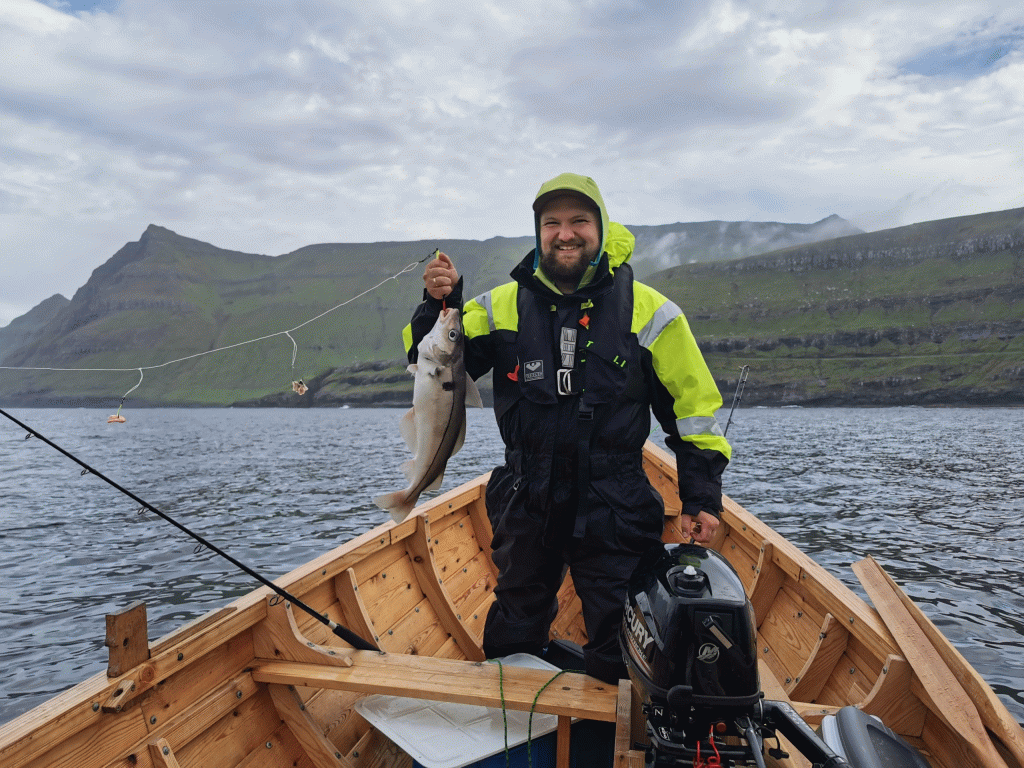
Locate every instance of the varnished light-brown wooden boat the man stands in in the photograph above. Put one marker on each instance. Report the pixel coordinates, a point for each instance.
(260, 686)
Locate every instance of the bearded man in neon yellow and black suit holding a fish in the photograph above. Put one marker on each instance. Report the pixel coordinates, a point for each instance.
(581, 355)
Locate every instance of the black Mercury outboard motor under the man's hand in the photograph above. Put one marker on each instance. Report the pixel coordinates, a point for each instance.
(690, 644)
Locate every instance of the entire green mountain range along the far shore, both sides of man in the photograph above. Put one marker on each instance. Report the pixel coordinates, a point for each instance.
(925, 314)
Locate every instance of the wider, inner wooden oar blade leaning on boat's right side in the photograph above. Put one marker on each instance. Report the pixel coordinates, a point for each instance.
(953, 702)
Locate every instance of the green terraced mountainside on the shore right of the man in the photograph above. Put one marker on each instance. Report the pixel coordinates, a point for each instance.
(931, 314)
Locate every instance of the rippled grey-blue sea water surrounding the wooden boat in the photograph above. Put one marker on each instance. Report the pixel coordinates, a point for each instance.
(936, 496)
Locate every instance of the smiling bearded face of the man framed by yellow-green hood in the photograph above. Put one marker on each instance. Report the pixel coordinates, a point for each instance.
(570, 239)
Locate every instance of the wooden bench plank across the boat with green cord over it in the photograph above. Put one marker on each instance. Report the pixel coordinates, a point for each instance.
(448, 680)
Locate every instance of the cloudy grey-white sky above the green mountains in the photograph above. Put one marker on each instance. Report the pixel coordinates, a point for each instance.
(264, 126)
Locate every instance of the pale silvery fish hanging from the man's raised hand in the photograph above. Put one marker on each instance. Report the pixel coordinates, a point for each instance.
(435, 429)
